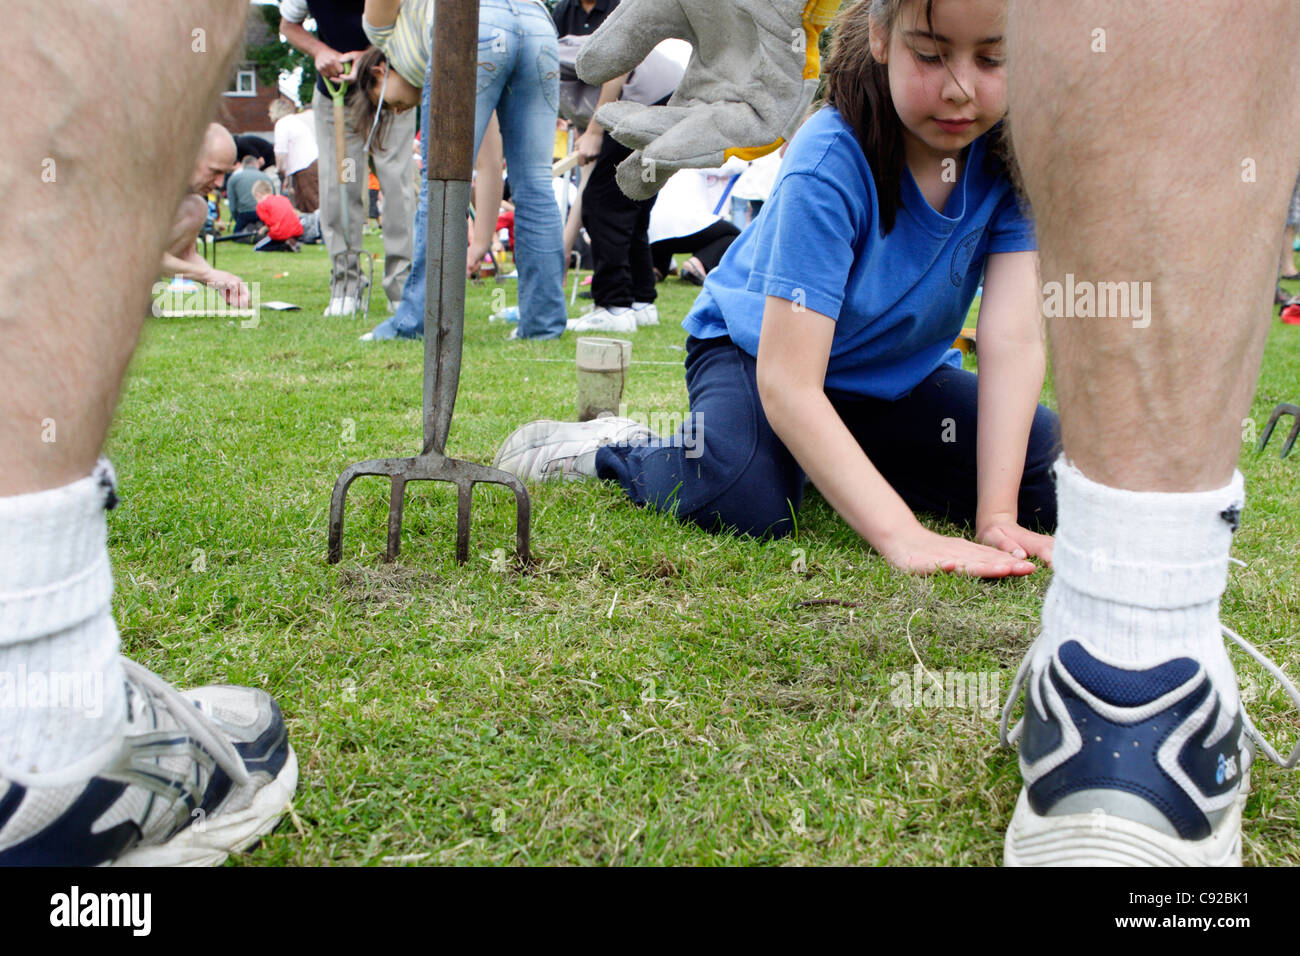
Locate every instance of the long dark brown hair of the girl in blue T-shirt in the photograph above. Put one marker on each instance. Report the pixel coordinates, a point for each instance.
(859, 86)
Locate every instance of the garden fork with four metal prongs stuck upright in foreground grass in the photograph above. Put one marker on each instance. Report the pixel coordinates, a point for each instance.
(450, 161)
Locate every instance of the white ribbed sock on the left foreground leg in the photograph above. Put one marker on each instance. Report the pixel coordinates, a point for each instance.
(62, 693)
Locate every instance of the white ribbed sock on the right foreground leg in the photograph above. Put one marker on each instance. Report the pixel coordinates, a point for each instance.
(1138, 576)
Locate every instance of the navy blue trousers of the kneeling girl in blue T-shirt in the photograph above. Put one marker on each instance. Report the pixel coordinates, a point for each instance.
(726, 469)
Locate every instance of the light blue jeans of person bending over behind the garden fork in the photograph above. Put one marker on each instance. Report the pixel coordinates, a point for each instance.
(519, 79)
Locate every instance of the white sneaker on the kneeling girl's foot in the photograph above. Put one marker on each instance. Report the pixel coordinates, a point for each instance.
(545, 451)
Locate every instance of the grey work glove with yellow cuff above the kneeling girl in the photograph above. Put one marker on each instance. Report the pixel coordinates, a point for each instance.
(752, 76)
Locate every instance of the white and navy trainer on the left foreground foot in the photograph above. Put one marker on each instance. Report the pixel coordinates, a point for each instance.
(194, 778)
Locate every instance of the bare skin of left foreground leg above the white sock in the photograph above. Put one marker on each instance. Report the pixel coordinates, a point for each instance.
(73, 296)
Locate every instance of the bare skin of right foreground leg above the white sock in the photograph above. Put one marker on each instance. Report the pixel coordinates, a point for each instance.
(1129, 154)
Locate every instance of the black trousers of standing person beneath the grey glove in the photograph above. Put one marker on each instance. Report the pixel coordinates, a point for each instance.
(618, 228)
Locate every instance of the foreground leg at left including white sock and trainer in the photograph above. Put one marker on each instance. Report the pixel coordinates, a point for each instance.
(84, 237)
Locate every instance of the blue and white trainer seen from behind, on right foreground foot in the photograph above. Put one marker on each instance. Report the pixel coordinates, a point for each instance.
(1130, 767)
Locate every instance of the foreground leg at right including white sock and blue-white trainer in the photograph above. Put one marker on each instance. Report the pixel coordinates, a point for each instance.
(1138, 136)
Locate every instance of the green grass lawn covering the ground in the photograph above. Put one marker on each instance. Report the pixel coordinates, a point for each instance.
(649, 694)
